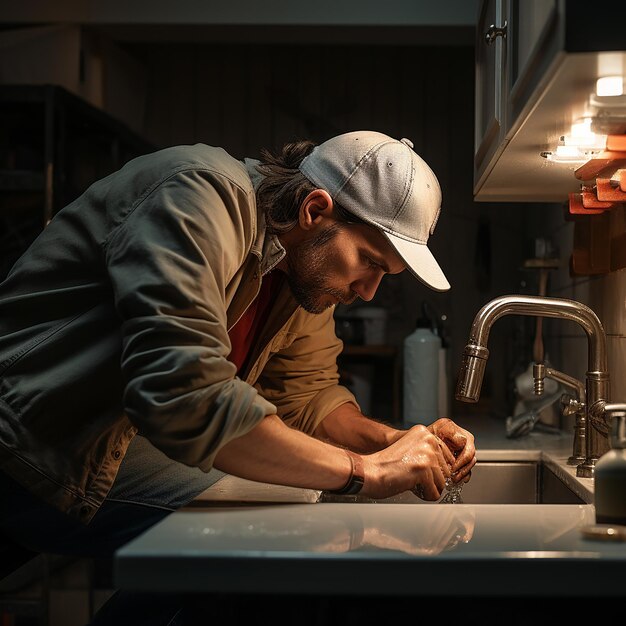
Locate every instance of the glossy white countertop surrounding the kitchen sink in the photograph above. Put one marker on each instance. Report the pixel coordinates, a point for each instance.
(242, 536)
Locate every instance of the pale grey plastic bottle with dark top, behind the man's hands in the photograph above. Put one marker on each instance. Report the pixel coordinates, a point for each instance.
(421, 375)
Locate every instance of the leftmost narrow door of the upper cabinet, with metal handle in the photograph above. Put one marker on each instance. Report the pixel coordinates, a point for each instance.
(491, 50)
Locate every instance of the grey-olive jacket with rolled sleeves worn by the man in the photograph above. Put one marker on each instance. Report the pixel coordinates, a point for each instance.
(116, 321)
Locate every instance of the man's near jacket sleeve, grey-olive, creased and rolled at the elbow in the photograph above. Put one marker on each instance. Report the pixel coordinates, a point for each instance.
(169, 263)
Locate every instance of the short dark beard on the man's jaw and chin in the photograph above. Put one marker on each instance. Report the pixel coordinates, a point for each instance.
(308, 275)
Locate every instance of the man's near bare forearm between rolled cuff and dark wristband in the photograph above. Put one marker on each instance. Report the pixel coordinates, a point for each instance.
(275, 453)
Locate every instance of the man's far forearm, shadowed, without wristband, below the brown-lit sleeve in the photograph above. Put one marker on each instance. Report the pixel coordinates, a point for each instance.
(347, 426)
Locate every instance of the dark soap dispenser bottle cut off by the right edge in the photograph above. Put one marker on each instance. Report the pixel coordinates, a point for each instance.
(610, 472)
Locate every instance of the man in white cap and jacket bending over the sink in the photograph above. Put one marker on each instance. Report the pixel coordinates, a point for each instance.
(178, 317)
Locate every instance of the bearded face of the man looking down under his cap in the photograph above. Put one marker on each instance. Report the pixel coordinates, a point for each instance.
(339, 263)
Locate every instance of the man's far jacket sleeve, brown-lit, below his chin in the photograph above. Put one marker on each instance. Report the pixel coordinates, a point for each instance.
(302, 380)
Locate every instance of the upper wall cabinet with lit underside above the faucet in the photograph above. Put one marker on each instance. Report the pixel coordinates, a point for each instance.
(537, 62)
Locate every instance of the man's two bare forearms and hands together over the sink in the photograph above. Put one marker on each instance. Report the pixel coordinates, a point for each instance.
(275, 453)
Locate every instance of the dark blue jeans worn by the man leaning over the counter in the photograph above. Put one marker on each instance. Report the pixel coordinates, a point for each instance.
(148, 487)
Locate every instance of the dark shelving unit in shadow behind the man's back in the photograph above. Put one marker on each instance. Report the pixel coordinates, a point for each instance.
(53, 145)
